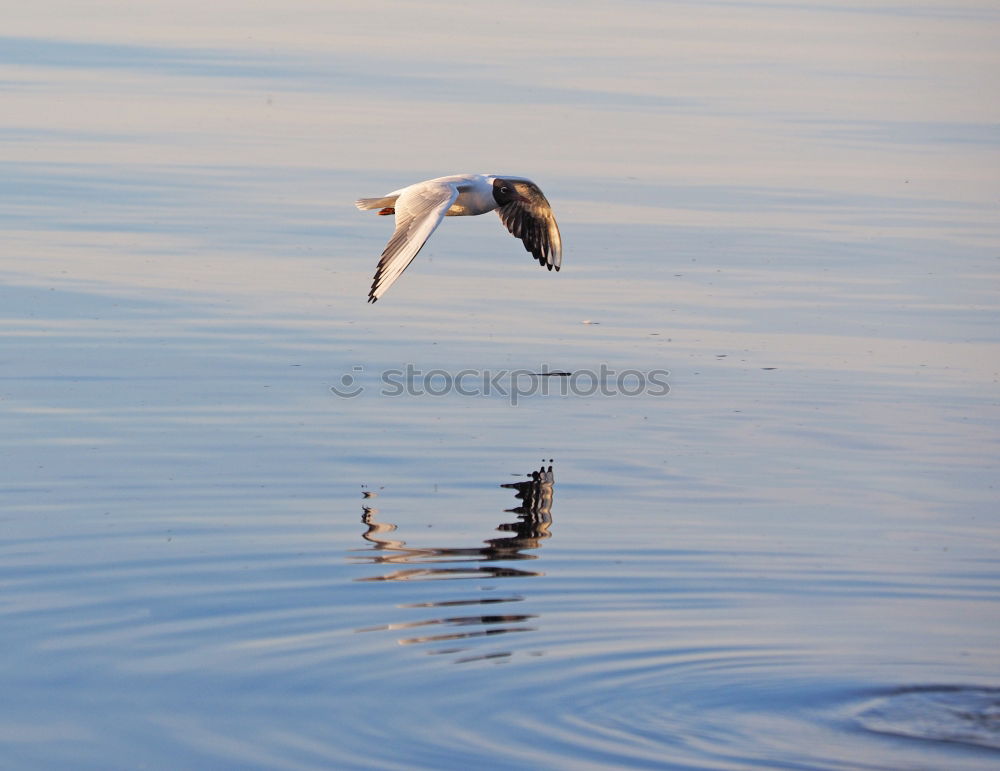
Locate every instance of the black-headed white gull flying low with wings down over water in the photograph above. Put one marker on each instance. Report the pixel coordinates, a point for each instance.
(419, 209)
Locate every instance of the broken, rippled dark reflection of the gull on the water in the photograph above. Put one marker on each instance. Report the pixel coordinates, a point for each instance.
(534, 517)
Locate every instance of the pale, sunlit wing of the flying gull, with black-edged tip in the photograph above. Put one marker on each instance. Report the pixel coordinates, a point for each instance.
(419, 210)
